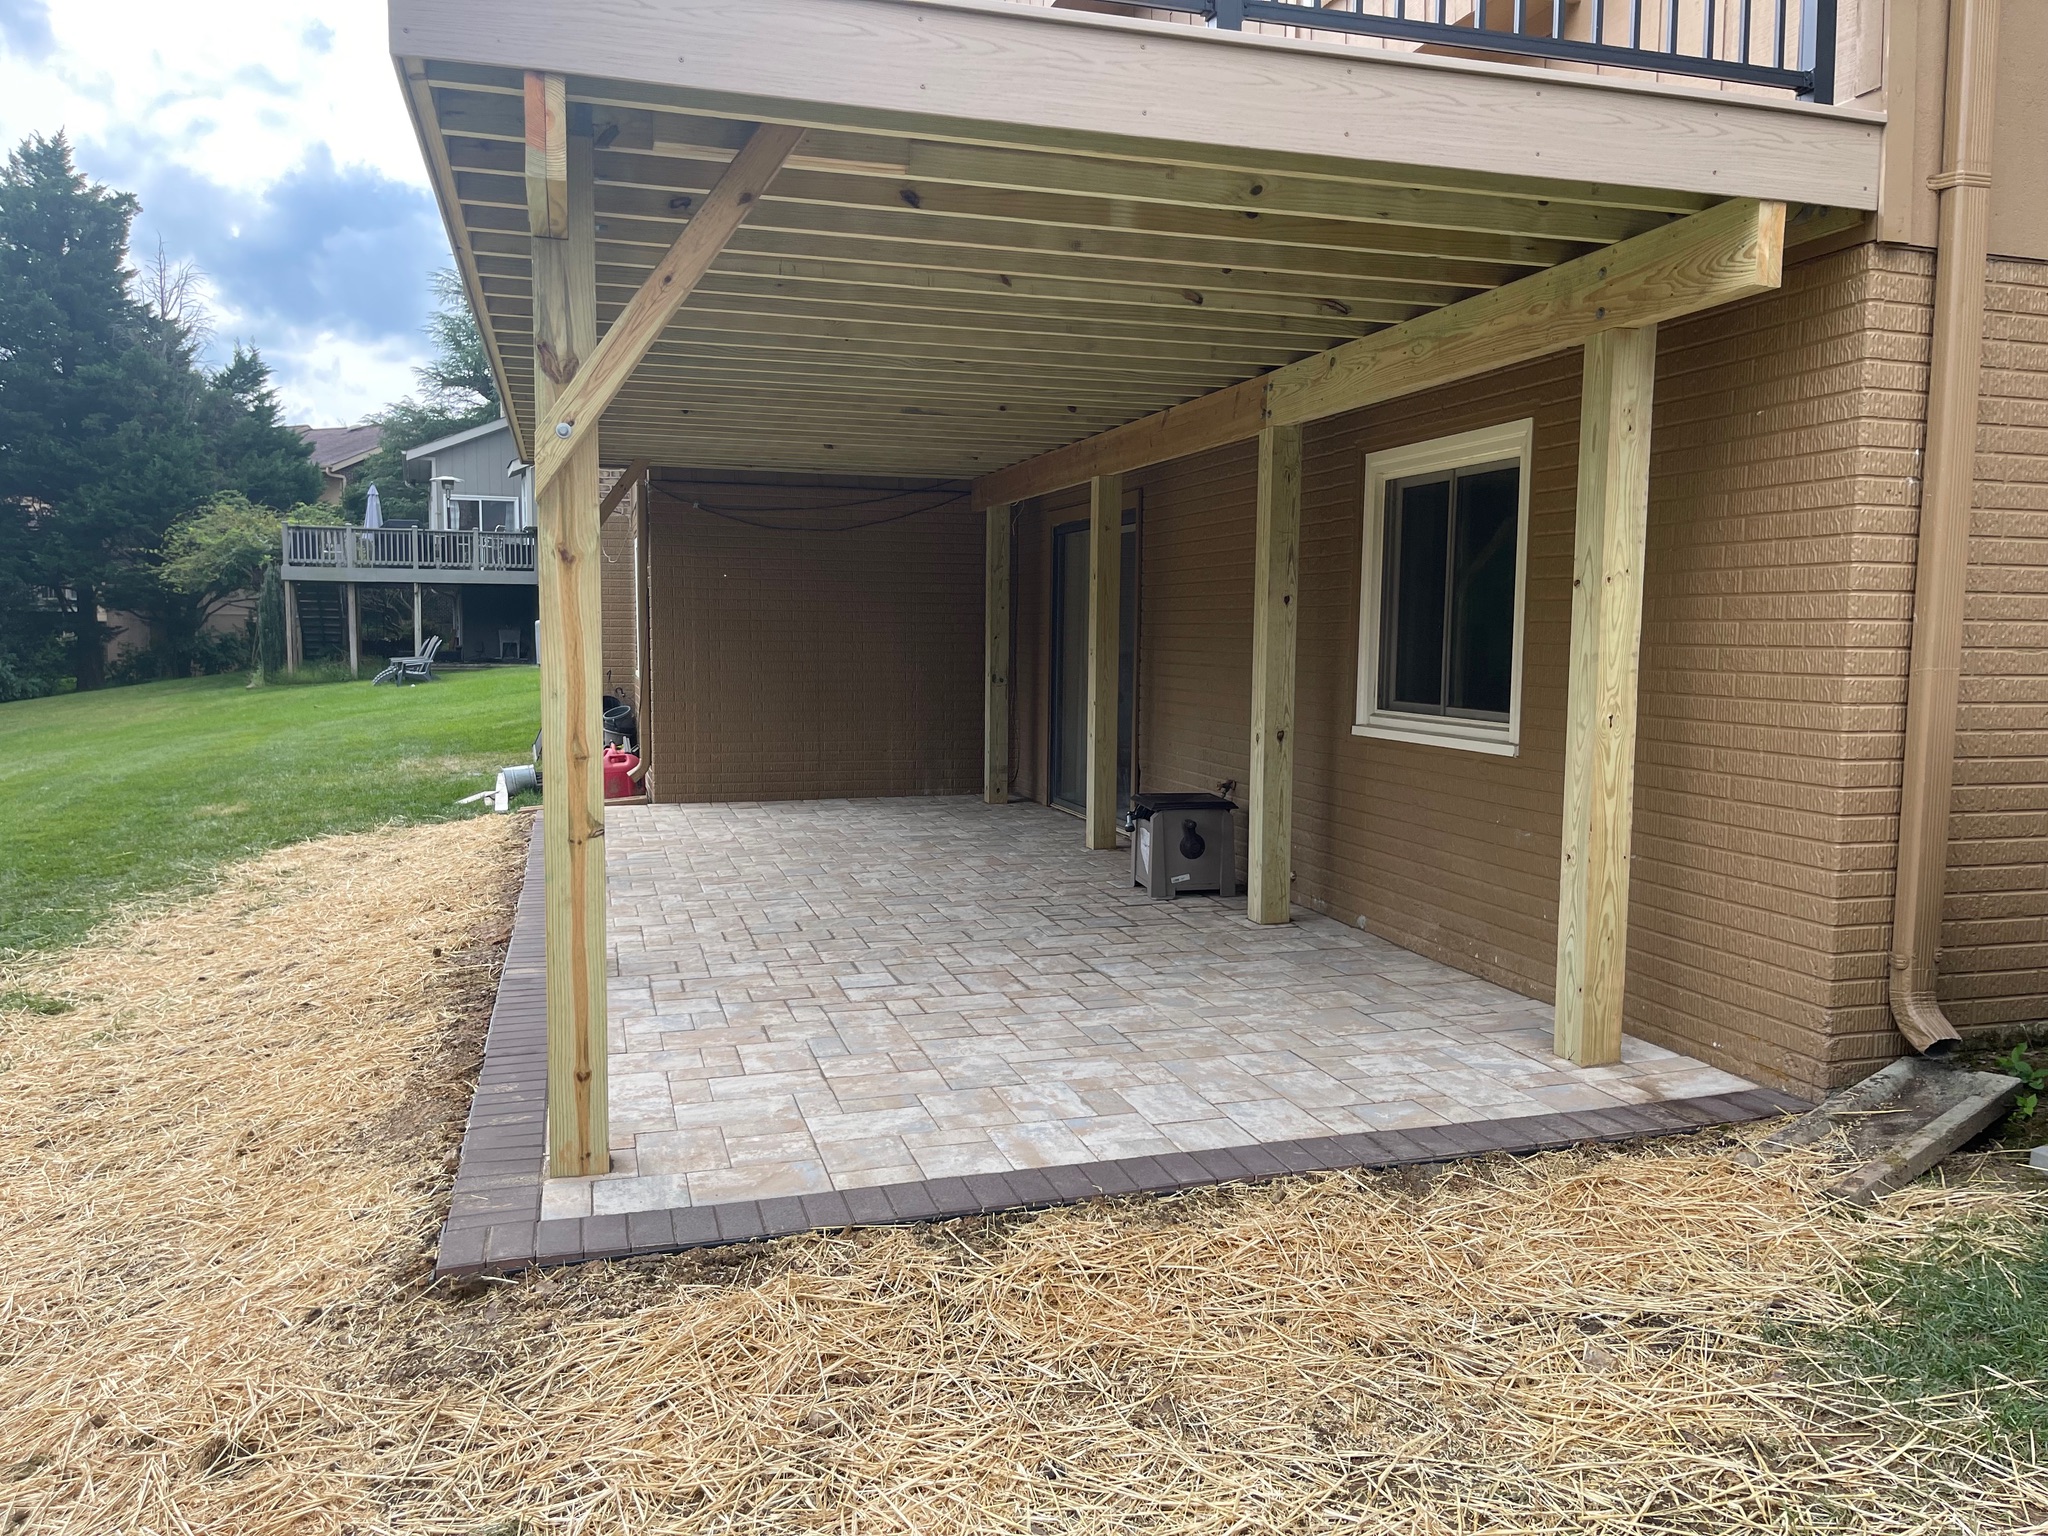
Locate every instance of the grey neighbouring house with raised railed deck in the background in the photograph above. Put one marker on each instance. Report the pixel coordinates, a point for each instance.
(474, 560)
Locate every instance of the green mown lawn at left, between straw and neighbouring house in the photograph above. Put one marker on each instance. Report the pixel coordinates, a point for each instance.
(136, 792)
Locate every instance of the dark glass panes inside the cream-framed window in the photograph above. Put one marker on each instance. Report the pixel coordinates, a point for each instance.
(1449, 601)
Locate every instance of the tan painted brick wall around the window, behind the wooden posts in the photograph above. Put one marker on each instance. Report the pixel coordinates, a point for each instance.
(1777, 624)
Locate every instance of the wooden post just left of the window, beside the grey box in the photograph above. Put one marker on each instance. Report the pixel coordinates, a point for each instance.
(1269, 882)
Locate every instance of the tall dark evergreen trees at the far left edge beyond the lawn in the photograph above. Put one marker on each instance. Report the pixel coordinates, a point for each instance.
(110, 429)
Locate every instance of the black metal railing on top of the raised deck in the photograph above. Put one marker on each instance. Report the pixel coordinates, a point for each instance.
(1777, 44)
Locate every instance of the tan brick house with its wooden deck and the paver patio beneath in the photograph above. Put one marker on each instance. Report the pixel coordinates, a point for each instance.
(1570, 474)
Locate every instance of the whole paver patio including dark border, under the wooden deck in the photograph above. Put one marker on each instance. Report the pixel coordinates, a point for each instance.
(886, 1011)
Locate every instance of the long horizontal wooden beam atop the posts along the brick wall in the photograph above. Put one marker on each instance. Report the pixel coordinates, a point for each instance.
(1730, 253)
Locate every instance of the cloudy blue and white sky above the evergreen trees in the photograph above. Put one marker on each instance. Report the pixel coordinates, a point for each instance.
(271, 148)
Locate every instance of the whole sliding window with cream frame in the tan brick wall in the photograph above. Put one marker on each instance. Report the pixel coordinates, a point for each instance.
(1441, 611)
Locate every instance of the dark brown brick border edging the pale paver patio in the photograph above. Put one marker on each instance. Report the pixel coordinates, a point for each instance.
(495, 1215)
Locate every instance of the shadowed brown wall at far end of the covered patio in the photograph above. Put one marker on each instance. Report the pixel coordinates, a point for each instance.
(802, 665)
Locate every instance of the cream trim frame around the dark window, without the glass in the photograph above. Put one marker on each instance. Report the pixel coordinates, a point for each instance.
(1461, 452)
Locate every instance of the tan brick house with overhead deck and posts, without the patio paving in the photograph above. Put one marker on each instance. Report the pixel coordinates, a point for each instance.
(1560, 486)
